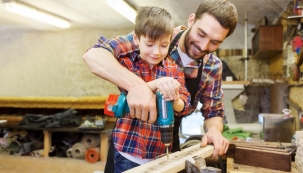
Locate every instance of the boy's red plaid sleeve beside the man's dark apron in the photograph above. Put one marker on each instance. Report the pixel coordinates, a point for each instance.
(184, 94)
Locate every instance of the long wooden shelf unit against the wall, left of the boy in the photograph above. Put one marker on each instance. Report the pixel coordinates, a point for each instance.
(13, 108)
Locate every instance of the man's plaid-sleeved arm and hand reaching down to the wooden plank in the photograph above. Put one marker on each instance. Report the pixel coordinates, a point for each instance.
(213, 110)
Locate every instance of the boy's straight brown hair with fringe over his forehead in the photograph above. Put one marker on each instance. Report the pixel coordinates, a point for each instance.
(154, 23)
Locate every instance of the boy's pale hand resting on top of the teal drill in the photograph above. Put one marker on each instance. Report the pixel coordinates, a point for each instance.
(169, 88)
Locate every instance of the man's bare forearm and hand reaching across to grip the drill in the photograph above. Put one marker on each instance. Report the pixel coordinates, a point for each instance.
(140, 98)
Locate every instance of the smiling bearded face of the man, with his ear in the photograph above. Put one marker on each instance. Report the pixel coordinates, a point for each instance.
(203, 36)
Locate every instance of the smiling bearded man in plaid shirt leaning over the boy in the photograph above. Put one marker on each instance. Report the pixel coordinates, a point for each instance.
(213, 21)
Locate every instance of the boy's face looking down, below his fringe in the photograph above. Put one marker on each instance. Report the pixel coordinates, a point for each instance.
(153, 52)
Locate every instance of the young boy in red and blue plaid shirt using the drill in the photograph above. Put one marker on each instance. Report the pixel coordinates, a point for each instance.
(136, 141)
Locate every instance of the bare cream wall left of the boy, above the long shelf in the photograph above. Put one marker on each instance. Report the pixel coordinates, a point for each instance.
(36, 63)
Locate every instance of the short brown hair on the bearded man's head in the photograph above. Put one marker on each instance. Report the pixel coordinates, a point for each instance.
(225, 12)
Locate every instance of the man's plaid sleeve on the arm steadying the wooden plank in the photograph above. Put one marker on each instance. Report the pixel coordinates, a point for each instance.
(212, 95)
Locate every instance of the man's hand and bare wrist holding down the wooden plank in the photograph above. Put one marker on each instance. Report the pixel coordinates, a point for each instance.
(214, 136)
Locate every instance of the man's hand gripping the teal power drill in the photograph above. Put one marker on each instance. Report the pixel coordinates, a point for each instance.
(142, 103)
